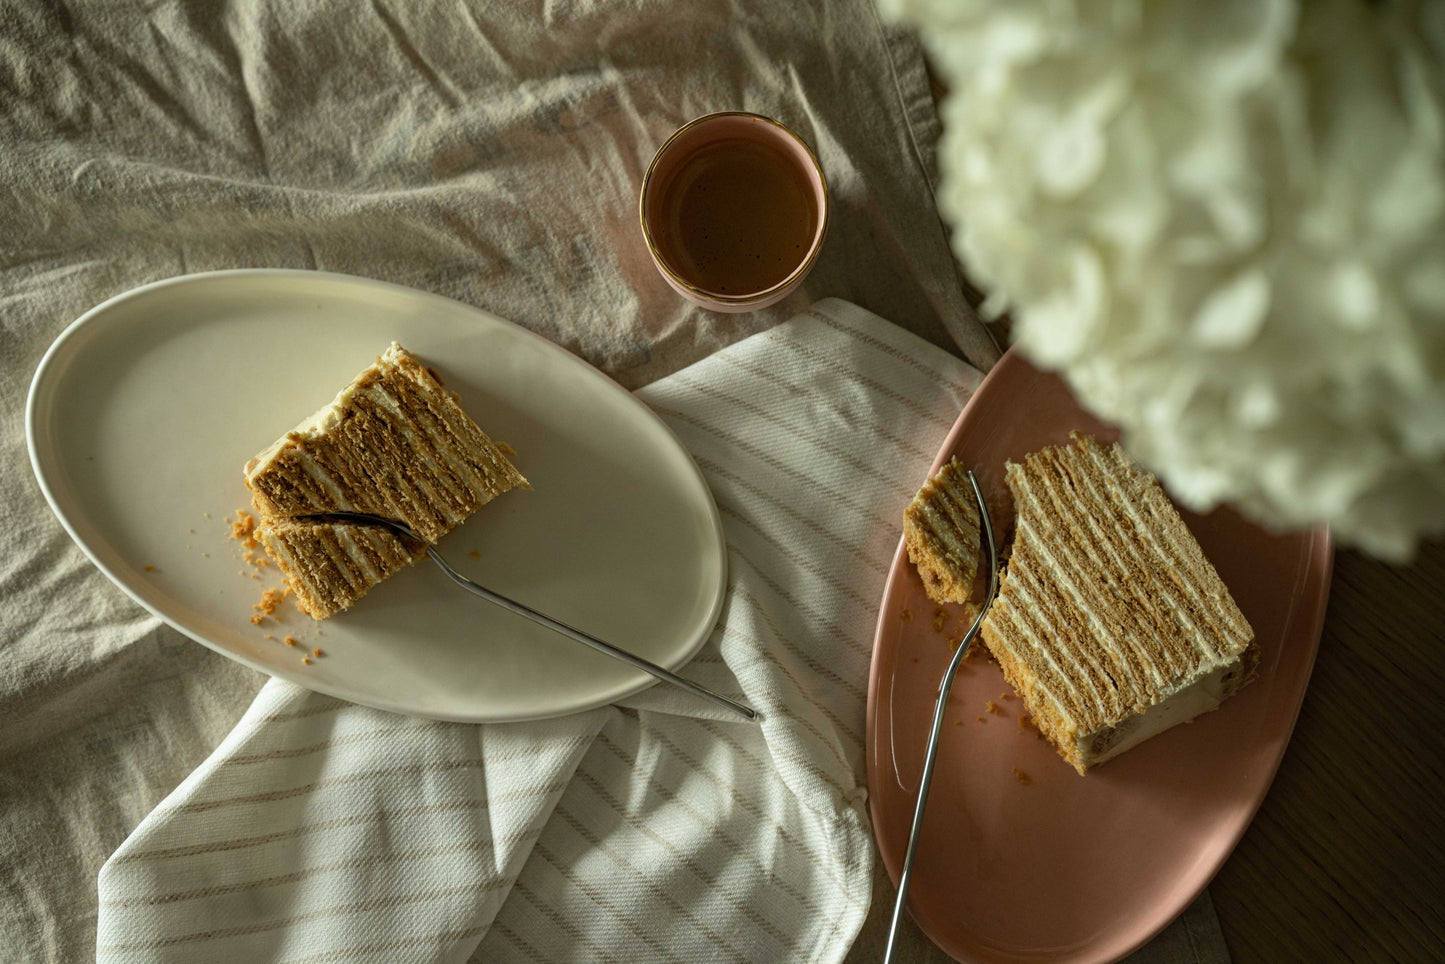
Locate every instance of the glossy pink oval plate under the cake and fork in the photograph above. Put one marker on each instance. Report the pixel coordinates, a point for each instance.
(1021, 859)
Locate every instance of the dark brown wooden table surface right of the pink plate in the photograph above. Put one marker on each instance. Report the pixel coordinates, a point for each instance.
(1346, 861)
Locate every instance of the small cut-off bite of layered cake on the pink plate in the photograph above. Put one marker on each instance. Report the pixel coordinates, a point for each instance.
(941, 534)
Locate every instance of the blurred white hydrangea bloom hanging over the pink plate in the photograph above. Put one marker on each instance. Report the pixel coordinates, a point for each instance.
(1225, 223)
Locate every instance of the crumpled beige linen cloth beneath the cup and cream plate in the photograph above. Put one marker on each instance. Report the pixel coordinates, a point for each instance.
(489, 152)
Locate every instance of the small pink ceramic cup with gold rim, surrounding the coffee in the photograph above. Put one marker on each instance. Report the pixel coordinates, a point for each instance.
(684, 145)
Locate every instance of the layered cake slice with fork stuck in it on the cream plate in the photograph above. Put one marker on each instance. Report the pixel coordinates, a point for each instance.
(394, 444)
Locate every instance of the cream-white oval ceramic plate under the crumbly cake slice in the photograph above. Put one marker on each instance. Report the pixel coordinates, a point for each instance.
(145, 410)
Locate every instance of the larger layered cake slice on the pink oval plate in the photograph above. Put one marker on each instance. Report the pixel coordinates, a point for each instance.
(1110, 622)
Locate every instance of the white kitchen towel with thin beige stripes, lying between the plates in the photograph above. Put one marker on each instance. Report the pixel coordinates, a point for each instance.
(657, 830)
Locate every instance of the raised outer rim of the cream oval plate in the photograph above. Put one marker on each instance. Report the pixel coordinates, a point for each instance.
(43, 460)
